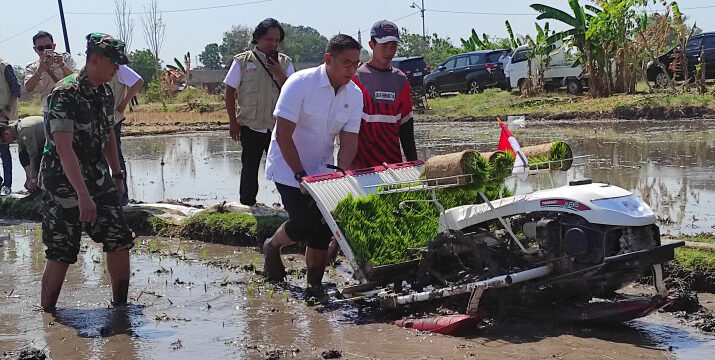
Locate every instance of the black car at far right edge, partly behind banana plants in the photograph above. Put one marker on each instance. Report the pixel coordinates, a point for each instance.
(693, 49)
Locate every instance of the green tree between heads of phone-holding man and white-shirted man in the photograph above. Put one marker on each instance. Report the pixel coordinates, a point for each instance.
(303, 43)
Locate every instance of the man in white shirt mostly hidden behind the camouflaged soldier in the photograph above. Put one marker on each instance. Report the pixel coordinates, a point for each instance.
(125, 85)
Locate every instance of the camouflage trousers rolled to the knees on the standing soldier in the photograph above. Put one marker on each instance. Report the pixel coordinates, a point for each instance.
(62, 230)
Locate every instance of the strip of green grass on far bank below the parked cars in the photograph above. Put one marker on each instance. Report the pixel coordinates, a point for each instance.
(495, 102)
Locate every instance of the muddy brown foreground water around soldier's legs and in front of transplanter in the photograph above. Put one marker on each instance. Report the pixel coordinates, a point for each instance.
(183, 309)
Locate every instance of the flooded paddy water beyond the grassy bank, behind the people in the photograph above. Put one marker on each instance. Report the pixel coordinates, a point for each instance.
(669, 163)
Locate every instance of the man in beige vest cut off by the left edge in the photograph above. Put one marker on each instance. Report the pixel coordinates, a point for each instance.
(9, 93)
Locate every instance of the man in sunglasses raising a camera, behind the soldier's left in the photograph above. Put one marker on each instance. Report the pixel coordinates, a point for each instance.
(43, 73)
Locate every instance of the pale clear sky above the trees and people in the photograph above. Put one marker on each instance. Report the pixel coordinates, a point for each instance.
(191, 24)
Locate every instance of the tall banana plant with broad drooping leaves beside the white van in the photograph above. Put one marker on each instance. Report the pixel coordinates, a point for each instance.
(577, 34)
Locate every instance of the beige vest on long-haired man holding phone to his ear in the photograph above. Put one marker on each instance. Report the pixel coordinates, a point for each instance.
(257, 94)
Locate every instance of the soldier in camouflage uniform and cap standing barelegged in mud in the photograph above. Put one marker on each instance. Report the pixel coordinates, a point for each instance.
(80, 192)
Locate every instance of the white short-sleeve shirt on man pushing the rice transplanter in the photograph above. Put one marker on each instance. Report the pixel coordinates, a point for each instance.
(319, 114)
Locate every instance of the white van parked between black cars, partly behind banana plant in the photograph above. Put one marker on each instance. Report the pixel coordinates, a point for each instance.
(559, 73)
